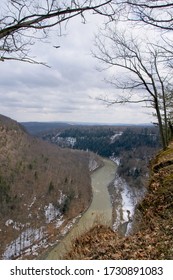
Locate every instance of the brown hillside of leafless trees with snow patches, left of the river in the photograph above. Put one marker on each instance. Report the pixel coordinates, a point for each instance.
(42, 188)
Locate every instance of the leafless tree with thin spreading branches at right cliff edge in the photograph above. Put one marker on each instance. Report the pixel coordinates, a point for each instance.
(145, 73)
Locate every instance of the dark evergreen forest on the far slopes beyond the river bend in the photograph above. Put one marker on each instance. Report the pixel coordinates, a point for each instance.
(131, 146)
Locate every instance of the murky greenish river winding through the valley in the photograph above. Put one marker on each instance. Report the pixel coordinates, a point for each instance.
(100, 210)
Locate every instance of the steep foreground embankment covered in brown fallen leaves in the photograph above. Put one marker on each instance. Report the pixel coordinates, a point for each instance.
(153, 225)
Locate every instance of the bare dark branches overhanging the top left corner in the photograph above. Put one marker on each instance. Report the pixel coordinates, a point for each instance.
(22, 22)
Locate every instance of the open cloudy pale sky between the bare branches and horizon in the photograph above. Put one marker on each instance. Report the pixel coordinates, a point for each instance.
(68, 91)
